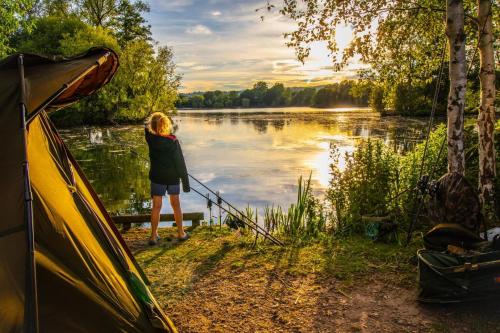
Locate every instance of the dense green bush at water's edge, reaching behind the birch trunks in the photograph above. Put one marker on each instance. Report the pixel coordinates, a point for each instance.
(378, 181)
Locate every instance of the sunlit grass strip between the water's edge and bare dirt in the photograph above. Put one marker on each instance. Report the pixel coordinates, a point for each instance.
(173, 268)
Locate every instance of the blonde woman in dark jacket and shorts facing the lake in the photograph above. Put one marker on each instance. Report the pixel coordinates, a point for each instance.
(167, 169)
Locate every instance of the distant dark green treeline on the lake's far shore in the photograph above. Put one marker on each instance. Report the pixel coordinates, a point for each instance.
(345, 93)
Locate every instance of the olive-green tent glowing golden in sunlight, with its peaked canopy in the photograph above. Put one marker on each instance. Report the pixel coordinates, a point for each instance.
(63, 265)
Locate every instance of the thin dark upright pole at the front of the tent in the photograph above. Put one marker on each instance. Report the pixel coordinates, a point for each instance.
(31, 299)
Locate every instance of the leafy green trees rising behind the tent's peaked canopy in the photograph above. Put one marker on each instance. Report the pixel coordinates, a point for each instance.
(145, 82)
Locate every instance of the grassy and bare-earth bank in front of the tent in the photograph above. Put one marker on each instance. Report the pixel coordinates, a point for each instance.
(217, 282)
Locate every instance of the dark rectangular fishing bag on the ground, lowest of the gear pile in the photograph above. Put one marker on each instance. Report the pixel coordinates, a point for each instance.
(446, 277)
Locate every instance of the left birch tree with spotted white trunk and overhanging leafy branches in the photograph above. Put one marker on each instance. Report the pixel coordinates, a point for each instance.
(403, 32)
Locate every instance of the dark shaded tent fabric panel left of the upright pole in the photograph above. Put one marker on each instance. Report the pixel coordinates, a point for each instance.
(13, 246)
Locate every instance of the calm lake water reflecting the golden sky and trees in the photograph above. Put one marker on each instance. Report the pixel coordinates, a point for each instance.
(253, 156)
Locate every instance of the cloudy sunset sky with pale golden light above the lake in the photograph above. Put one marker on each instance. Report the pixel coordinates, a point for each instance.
(224, 44)
